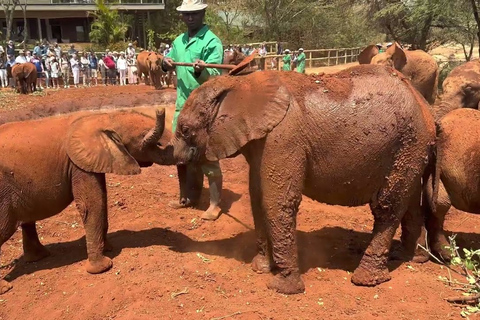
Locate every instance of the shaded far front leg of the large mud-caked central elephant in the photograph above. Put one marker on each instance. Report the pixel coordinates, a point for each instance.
(262, 262)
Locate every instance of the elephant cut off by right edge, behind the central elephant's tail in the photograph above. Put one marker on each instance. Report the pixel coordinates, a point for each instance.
(458, 168)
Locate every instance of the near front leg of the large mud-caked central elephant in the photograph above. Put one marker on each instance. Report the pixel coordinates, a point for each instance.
(281, 202)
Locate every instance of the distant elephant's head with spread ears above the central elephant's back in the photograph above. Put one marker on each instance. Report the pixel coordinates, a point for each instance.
(394, 57)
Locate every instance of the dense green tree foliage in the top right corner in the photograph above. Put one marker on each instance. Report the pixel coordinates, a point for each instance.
(424, 23)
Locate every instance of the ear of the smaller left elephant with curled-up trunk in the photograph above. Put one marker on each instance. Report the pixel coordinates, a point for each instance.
(94, 146)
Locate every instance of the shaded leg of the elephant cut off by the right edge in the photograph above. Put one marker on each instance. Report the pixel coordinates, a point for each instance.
(434, 223)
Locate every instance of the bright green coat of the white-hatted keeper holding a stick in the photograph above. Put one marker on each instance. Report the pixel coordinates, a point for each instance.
(206, 46)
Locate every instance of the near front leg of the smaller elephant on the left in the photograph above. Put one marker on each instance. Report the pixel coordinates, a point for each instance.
(90, 195)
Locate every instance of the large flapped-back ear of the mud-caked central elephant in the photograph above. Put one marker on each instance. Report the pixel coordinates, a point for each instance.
(245, 114)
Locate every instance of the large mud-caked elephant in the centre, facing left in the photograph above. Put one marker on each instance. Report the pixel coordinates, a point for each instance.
(344, 139)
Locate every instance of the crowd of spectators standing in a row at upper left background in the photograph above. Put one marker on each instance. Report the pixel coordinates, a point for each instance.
(56, 68)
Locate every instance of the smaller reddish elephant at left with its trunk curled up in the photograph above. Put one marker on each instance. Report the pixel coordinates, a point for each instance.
(46, 164)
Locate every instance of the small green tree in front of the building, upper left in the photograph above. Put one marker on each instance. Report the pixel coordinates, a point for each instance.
(108, 26)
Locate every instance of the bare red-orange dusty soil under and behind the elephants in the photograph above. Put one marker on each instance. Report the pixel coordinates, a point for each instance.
(159, 252)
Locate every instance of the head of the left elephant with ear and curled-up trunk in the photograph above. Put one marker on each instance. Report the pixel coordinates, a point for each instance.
(119, 141)
